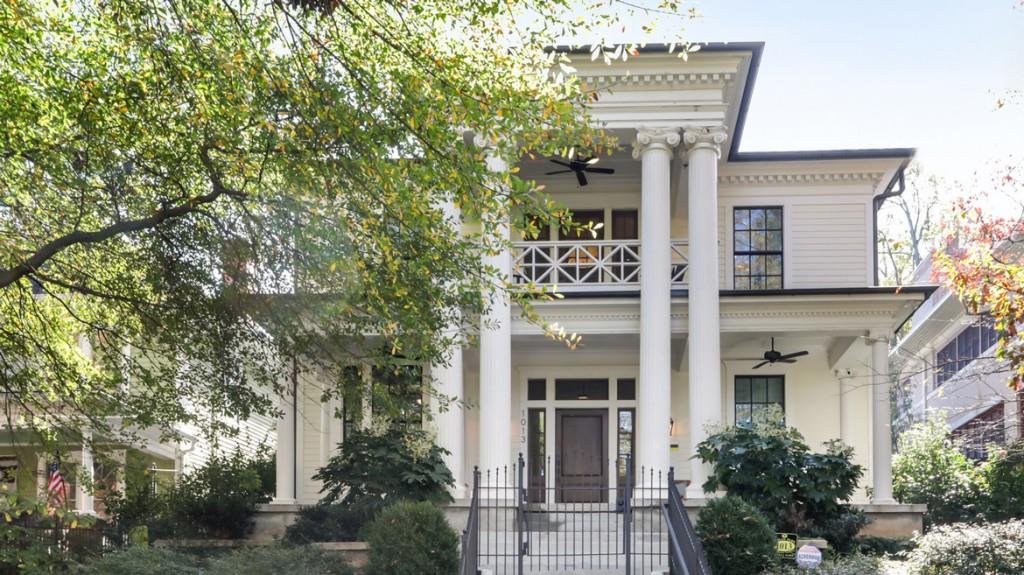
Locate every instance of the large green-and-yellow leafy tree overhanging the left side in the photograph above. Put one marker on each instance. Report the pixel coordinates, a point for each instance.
(192, 191)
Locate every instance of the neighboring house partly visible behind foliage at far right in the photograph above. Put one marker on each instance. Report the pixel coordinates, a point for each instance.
(947, 367)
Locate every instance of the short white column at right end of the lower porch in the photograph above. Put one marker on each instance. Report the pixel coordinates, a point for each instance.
(882, 455)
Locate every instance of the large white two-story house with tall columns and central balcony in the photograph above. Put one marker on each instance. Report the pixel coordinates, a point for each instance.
(708, 256)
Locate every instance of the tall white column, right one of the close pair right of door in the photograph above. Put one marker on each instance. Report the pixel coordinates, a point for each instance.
(703, 153)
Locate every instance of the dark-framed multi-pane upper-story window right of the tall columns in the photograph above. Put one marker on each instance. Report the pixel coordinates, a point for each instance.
(757, 248)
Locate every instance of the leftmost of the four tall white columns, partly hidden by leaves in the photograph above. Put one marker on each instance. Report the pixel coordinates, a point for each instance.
(449, 422)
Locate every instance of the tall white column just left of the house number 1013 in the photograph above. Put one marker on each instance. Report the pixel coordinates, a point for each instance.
(496, 352)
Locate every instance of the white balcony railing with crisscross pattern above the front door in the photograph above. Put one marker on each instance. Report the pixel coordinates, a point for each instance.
(578, 267)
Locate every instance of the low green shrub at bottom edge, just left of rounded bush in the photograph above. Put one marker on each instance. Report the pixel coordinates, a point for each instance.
(277, 560)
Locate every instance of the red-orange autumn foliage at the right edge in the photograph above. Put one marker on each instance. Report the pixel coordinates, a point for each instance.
(983, 261)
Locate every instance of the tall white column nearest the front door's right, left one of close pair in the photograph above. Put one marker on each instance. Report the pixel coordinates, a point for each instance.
(654, 149)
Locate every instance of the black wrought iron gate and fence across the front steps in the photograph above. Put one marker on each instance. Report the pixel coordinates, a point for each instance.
(585, 527)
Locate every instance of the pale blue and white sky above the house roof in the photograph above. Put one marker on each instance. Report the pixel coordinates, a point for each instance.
(924, 74)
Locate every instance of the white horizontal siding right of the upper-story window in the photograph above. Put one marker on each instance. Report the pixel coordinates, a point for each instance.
(828, 245)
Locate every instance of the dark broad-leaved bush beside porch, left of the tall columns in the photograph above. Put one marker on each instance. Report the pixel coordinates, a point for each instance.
(387, 465)
